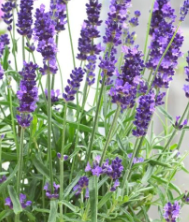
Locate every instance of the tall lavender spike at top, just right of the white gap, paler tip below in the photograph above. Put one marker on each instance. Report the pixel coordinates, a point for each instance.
(88, 50)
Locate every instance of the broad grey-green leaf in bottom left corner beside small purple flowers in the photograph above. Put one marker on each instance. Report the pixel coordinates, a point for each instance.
(15, 200)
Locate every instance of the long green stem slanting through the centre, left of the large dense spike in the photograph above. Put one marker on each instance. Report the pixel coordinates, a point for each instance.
(96, 119)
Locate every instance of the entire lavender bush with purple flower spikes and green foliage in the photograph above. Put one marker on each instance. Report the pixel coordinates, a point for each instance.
(76, 157)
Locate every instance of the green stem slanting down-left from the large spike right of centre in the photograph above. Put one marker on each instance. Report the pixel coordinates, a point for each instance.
(109, 137)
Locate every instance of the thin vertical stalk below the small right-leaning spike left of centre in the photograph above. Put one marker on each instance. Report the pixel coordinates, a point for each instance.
(62, 161)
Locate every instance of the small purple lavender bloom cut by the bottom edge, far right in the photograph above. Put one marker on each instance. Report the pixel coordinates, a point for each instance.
(171, 211)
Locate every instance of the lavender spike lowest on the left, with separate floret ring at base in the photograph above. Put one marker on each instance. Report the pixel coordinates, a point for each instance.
(28, 94)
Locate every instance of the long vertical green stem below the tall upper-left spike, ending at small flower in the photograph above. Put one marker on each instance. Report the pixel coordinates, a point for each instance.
(49, 128)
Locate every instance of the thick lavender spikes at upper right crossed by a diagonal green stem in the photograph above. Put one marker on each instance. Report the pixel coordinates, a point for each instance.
(162, 31)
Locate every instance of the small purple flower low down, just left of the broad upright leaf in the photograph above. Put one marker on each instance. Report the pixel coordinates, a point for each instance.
(81, 185)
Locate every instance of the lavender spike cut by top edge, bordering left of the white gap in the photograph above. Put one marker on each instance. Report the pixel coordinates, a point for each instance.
(58, 14)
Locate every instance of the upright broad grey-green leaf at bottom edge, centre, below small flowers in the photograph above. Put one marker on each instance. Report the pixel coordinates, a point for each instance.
(93, 198)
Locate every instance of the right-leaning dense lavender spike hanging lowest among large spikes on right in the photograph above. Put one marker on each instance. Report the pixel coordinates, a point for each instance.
(144, 114)
